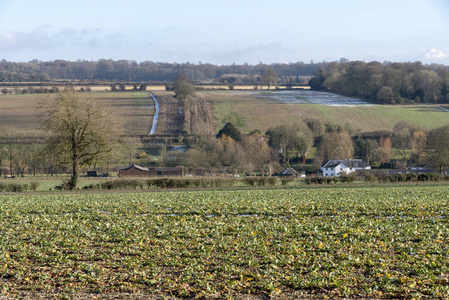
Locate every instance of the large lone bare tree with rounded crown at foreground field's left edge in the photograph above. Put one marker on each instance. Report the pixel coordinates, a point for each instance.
(81, 131)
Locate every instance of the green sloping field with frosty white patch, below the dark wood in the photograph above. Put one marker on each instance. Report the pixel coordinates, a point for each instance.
(262, 110)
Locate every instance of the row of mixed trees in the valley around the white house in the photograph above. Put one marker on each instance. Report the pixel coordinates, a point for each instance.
(293, 143)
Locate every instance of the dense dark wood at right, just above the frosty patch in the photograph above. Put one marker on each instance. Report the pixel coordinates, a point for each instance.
(387, 83)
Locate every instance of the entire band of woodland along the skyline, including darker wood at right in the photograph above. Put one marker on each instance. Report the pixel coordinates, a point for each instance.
(386, 83)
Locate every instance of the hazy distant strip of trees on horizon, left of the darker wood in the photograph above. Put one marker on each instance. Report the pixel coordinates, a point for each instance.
(132, 71)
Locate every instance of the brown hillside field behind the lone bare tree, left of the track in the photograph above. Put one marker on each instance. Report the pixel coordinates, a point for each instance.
(136, 109)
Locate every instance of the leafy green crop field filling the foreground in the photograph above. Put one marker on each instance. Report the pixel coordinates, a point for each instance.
(365, 242)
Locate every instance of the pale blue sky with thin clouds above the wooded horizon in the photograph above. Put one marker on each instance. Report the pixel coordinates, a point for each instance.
(225, 32)
